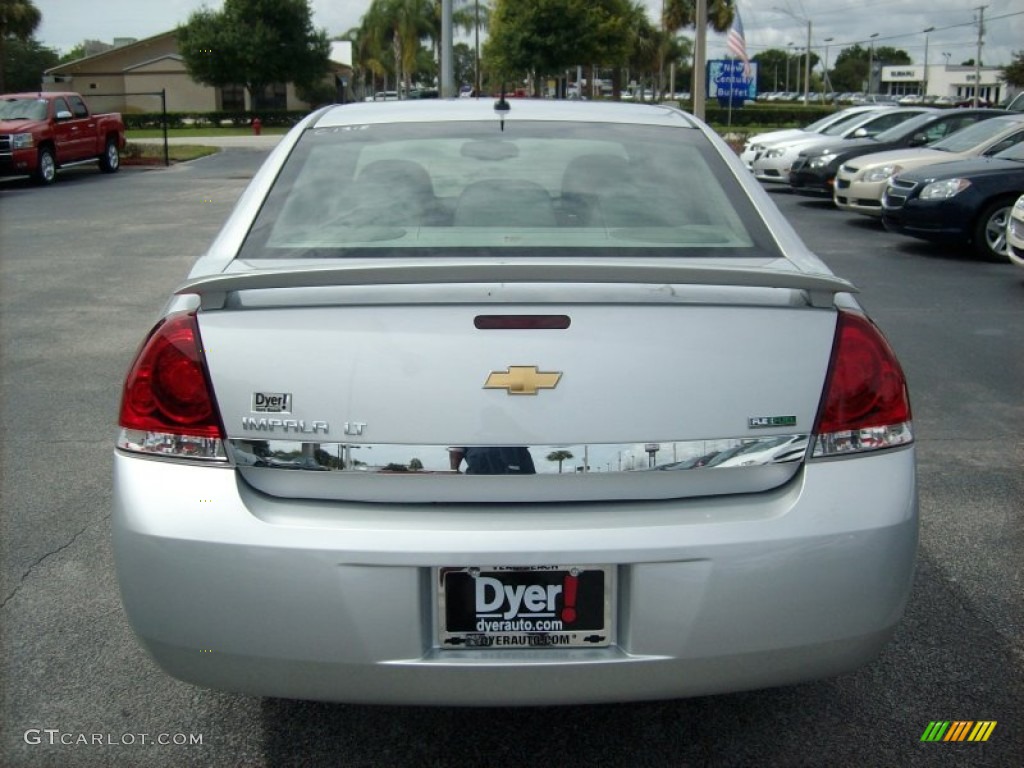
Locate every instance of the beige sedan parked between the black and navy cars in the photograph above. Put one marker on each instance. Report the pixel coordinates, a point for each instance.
(862, 183)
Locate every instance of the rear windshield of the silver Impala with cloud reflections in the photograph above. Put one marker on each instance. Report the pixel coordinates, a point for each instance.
(467, 189)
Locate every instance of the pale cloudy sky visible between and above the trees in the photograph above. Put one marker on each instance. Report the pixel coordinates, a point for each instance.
(767, 24)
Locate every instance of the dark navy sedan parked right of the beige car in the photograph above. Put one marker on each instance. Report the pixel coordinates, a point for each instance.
(965, 202)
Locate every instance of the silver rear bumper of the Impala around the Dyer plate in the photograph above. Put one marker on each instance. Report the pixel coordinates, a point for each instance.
(231, 589)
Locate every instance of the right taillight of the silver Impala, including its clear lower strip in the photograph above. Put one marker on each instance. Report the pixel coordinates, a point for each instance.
(866, 405)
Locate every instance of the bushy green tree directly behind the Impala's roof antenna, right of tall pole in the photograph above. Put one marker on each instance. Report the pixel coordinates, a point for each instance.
(547, 37)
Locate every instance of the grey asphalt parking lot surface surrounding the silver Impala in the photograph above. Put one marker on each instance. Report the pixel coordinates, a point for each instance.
(86, 266)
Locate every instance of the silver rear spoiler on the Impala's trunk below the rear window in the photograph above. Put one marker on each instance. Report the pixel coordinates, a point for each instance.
(214, 290)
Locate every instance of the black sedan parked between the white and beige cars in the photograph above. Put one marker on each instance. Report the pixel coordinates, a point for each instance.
(815, 172)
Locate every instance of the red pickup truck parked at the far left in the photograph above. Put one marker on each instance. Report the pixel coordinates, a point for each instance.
(40, 133)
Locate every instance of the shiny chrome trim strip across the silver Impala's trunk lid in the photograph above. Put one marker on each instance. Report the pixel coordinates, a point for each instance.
(603, 458)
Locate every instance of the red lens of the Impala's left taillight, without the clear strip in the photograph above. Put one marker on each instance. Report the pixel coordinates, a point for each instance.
(167, 390)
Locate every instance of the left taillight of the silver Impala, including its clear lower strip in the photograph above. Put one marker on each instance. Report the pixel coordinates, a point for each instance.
(167, 408)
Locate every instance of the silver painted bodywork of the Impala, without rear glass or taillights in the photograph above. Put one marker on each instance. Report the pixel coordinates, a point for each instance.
(295, 566)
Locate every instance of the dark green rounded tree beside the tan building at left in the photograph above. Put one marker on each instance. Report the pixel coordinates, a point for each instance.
(255, 44)
